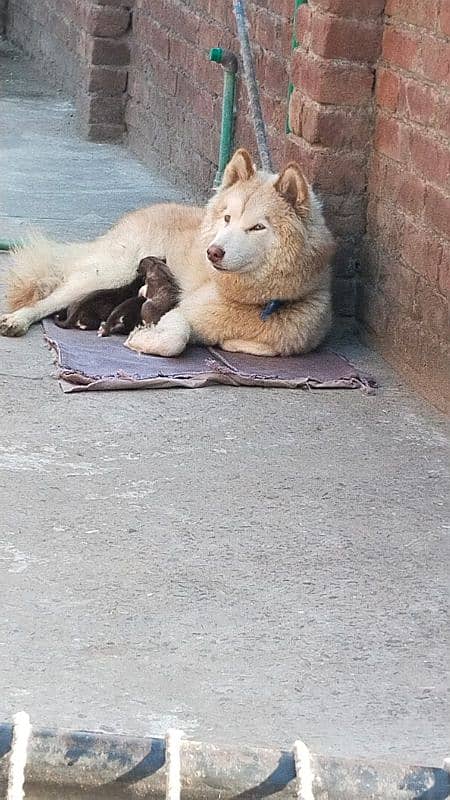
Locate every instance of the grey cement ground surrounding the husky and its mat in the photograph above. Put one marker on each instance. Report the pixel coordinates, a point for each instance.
(249, 565)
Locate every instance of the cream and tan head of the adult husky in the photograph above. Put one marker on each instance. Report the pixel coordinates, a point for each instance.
(255, 216)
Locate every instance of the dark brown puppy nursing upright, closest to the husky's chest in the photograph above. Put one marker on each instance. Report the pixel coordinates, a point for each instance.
(159, 288)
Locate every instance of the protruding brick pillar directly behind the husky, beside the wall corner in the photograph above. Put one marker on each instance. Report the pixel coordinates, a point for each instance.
(331, 116)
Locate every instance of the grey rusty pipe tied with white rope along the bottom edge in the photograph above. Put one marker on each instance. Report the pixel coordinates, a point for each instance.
(75, 765)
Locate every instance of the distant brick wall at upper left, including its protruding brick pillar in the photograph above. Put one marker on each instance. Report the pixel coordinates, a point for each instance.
(81, 46)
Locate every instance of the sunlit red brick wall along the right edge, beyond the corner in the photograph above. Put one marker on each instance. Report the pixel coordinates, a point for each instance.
(405, 277)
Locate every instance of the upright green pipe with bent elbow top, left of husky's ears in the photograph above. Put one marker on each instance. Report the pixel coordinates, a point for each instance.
(229, 62)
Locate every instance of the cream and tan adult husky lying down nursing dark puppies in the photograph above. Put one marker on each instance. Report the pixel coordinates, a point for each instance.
(253, 267)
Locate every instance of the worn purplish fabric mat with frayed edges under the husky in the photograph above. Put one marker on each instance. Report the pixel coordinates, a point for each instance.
(87, 362)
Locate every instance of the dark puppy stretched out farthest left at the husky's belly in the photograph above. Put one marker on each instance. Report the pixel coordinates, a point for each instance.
(96, 307)
